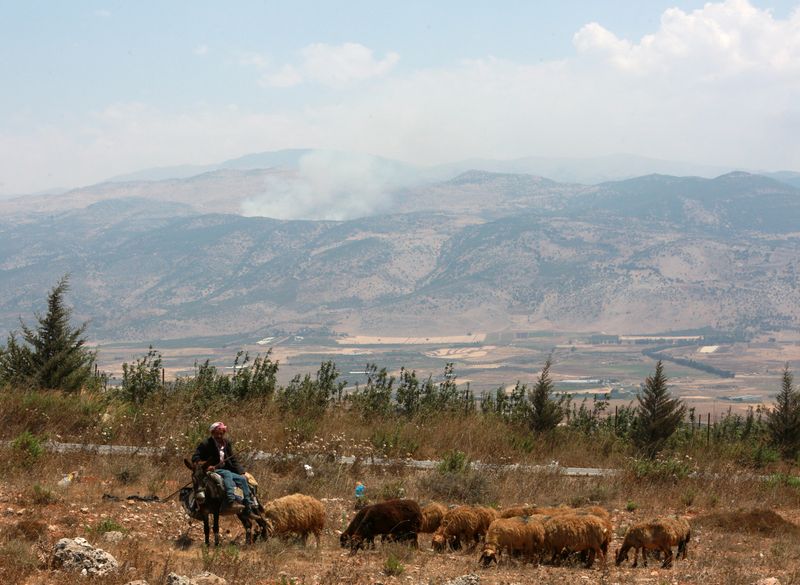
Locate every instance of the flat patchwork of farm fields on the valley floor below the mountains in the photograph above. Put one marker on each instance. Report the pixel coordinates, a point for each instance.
(490, 361)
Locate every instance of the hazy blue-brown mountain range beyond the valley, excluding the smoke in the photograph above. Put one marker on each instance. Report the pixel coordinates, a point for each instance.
(176, 258)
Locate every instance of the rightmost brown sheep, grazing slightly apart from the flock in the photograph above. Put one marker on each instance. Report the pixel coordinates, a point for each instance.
(658, 534)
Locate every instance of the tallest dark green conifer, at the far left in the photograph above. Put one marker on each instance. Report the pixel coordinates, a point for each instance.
(59, 358)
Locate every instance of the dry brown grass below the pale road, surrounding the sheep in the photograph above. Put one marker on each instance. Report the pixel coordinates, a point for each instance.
(722, 549)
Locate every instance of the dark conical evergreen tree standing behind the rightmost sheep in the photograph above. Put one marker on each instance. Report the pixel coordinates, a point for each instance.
(658, 415)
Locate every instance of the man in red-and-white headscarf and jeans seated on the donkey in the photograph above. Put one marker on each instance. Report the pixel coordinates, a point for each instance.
(217, 452)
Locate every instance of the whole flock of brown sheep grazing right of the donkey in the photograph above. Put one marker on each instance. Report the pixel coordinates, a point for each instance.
(531, 533)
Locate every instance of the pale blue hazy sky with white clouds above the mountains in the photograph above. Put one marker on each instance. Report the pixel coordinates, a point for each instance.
(95, 89)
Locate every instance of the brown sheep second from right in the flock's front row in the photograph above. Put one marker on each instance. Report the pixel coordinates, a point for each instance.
(577, 533)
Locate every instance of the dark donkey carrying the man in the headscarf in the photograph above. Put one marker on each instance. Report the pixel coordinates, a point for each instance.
(210, 499)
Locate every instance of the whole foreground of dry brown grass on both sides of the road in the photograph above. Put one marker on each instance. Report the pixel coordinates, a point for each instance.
(743, 526)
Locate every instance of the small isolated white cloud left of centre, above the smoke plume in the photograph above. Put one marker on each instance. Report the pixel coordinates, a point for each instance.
(333, 66)
